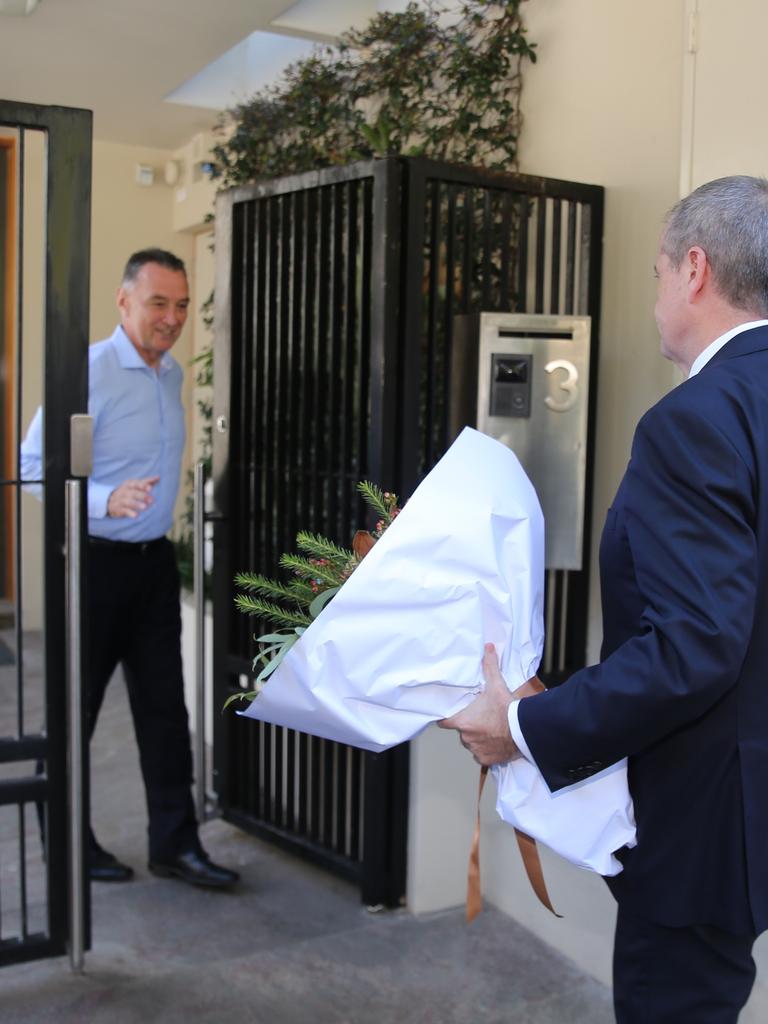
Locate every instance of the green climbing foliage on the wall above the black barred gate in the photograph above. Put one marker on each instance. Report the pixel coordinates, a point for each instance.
(413, 83)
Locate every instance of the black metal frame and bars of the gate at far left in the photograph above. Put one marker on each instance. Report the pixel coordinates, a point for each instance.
(68, 136)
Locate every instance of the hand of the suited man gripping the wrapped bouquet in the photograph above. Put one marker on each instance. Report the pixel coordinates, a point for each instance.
(484, 728)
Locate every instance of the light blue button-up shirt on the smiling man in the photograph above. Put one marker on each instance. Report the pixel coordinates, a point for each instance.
(139, 432)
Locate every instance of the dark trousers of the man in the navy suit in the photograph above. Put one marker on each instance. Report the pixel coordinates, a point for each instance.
(694, 975)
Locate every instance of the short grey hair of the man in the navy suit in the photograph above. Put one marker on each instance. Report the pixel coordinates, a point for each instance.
(729, 219)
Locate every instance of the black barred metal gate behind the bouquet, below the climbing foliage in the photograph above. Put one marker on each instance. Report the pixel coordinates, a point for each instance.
(335, 297)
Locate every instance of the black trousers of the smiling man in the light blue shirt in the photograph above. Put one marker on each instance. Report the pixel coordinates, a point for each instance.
(136, 619)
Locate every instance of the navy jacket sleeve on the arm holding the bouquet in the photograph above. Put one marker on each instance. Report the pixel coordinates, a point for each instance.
(679, 551)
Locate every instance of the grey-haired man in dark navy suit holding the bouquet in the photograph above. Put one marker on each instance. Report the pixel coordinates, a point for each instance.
(682, 686)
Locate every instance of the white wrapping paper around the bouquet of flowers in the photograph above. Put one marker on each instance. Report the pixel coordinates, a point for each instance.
(401, 645)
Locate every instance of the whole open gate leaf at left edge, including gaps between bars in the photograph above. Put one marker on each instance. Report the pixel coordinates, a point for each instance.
(46, 161)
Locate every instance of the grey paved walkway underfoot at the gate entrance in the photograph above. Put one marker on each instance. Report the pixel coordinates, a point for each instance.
(293, 945)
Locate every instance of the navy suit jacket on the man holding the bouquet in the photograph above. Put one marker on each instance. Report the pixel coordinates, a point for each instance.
(682, 686)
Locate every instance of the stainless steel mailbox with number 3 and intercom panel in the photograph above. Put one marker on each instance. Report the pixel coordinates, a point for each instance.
(524, 379)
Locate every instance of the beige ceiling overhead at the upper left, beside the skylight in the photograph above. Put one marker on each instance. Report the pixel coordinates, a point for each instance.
(121, 59)
